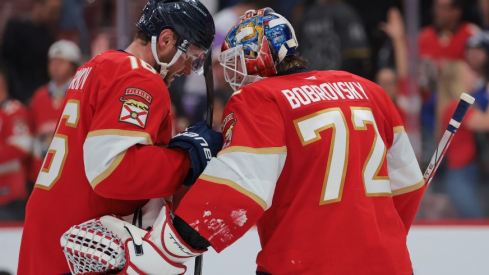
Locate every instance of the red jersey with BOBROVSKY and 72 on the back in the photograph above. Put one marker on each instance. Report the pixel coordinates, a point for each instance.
(321, 163)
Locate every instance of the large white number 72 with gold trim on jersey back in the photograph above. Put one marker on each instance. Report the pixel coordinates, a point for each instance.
(308, 129)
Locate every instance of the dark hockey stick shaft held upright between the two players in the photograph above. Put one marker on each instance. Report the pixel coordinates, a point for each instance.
(209, 86)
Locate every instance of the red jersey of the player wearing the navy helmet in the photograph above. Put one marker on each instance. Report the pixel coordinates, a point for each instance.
(106, 157)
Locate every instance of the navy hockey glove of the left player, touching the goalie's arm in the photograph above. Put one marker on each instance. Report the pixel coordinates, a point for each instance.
(202, 144)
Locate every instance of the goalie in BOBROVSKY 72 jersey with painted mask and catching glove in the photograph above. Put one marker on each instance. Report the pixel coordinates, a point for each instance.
(318, 160)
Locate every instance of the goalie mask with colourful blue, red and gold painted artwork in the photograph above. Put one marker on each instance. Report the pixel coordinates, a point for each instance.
(255, 45)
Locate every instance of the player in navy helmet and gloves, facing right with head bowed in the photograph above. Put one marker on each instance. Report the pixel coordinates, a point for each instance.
(108, 154)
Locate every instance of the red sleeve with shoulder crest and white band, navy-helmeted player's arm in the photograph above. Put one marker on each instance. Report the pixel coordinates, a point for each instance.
(122, 157)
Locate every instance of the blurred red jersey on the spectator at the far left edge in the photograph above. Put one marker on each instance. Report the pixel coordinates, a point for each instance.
(15, 147)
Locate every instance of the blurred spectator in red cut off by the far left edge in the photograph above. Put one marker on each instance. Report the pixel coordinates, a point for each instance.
(15, 146)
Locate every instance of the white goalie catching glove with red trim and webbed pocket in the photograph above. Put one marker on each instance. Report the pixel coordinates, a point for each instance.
(111, 244)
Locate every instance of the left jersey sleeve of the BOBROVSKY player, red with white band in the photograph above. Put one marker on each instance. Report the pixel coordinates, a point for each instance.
(238, 186)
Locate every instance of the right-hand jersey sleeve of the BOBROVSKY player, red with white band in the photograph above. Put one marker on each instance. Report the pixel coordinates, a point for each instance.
(405, 175)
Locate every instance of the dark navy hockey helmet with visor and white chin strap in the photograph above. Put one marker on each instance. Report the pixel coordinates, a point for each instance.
(189, 19)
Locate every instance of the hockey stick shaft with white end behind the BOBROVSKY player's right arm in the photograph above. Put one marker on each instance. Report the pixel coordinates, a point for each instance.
(457, 117)
